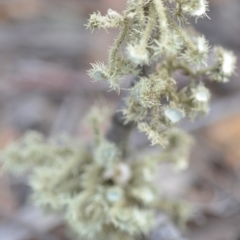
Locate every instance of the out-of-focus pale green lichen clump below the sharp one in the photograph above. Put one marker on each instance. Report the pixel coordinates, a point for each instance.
(101, 195)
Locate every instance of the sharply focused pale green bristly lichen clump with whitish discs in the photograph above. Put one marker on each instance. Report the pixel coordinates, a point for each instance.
(156, 33)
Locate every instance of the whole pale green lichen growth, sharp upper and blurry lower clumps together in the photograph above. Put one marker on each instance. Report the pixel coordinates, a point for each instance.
(104, 194)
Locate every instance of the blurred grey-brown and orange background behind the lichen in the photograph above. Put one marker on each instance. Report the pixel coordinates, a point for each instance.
(45, 51)
